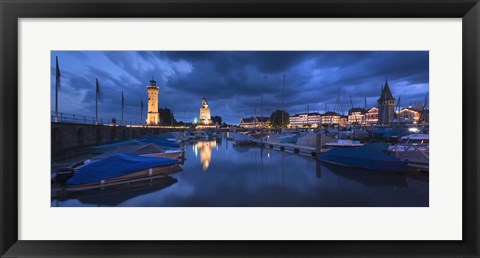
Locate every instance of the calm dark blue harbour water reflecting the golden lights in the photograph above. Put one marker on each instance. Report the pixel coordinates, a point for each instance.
(218, 174)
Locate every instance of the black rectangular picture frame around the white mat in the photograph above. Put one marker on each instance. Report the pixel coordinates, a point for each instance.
(11, 11)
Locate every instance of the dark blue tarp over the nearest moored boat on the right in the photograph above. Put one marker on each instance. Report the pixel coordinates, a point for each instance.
(363, 158)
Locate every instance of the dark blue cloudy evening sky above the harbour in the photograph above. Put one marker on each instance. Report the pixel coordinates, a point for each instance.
(234, 81)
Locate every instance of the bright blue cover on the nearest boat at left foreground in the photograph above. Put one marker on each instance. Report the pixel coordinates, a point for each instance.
(115, 166)
